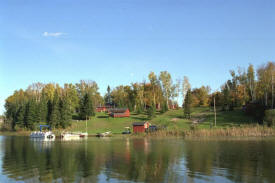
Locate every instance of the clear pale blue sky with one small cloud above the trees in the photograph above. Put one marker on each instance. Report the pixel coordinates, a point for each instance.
(120, 41)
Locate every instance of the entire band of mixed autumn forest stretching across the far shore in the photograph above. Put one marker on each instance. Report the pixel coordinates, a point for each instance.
(249, 88)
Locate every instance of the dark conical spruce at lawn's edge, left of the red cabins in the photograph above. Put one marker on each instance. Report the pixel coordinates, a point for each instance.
(87, 107)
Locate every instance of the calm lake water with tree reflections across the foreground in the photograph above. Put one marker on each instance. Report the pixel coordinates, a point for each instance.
(137, 160)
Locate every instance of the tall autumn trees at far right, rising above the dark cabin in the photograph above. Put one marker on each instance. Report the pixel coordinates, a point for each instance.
(251, 88)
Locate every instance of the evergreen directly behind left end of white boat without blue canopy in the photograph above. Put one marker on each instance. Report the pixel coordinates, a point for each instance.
(65, 112)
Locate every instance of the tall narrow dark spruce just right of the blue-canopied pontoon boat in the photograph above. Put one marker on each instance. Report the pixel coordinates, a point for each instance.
(54, 118)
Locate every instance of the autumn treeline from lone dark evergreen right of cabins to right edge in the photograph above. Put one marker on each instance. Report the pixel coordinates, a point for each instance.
(249, 88)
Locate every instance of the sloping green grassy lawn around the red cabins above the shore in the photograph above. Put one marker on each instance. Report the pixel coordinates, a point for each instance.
(172, 119)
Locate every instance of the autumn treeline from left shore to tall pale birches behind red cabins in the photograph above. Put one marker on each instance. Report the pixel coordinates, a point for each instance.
(56, 105)
